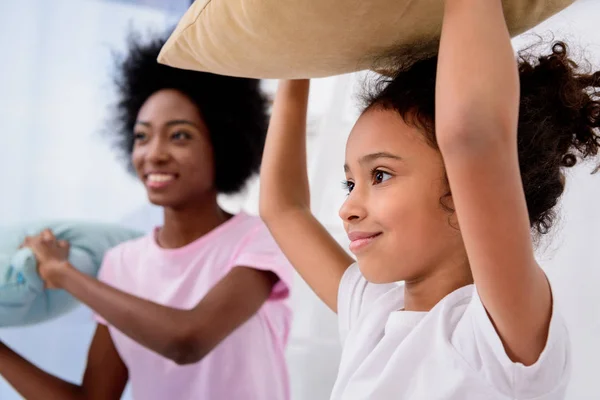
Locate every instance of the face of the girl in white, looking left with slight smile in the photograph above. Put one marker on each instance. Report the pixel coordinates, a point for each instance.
(393, 216)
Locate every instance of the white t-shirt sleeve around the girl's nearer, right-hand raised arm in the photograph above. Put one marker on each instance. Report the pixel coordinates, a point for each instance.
(479, 344)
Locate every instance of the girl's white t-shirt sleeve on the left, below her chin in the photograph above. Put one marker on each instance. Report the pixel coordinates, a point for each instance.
(355, 295)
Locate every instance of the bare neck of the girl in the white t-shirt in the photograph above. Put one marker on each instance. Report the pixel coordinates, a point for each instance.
(424, 293)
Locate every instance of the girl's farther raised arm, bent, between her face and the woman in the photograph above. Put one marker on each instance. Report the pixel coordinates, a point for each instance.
(285, 197)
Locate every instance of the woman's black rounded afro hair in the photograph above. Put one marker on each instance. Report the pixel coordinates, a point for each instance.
(234, 110)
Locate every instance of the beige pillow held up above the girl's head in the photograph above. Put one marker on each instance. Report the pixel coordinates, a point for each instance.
(316, 38)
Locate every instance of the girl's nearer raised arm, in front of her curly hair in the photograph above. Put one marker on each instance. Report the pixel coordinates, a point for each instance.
(477, 103)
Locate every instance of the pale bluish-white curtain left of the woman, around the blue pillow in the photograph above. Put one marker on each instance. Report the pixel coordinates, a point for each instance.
(55, 90)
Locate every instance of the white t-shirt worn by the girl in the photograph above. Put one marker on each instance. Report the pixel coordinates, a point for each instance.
(449, 353)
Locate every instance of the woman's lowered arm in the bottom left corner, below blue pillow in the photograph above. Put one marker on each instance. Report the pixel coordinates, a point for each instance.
(105, 376)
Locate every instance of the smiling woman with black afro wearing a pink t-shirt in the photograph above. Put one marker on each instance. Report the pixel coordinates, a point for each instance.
(197, 309)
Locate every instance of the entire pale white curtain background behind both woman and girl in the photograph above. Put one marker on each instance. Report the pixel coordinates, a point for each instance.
(55, 164)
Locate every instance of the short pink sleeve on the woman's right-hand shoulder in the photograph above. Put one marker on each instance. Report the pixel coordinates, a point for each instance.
(260, 251)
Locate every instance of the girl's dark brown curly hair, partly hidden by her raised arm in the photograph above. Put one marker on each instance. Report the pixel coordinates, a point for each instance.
(559, 119)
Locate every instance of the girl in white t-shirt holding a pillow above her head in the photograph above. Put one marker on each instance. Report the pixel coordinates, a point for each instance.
(444, 195)
